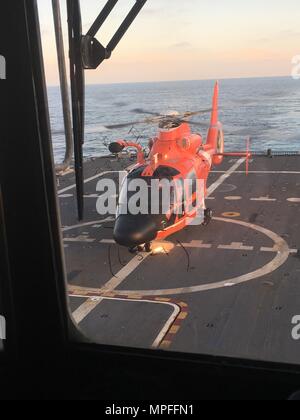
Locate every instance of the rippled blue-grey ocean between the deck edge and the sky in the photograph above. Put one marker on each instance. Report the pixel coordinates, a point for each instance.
(266, 109)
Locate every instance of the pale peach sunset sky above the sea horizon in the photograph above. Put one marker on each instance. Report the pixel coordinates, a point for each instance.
(187, 39)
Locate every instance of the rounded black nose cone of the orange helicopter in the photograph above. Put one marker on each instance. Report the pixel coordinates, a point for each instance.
(131, 231)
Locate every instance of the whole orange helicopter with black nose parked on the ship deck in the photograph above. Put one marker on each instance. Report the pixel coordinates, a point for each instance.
(175, 154)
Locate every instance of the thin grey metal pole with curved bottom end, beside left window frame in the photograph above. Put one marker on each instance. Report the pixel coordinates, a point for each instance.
(64, 87)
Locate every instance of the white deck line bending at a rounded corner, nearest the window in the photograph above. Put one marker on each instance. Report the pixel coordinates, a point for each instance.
(158, 340)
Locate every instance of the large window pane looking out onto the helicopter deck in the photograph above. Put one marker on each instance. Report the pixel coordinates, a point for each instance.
(230, 285)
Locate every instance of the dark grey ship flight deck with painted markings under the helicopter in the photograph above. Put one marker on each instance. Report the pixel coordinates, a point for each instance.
(230, 289)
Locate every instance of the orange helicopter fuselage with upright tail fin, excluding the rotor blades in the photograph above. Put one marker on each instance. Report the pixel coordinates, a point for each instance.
(189, 158)
